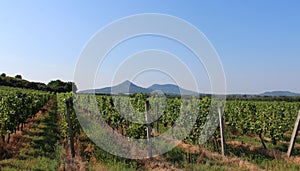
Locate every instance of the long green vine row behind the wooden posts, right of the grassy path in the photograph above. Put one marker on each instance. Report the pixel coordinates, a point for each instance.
(126, 115)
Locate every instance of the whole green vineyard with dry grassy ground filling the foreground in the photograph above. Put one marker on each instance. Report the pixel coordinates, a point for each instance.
(257, 133)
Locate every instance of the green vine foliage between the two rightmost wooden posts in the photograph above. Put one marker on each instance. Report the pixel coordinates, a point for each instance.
(266, 119)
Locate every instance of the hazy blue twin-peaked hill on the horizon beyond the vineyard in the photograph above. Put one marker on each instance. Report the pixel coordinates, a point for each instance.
(128, 87)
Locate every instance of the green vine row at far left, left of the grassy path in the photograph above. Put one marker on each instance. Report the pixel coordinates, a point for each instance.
(16, 106)
